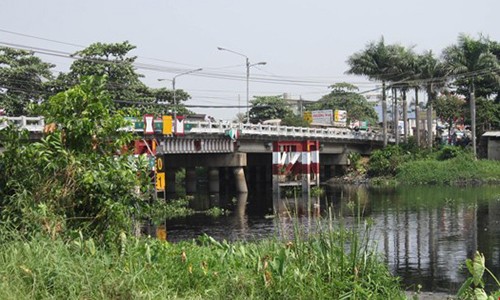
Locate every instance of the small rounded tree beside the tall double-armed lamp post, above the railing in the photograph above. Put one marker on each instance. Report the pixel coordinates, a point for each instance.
(269, 107)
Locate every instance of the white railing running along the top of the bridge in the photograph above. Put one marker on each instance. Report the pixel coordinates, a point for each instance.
(36, 124)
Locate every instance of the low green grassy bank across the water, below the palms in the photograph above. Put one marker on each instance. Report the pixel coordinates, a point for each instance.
(440, 168)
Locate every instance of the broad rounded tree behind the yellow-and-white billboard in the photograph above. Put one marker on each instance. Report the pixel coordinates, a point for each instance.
(344, 96)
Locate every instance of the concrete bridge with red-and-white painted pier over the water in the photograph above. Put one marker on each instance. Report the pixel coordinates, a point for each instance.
(282, 156)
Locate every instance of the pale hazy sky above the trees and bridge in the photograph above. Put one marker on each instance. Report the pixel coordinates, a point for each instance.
(305, 44)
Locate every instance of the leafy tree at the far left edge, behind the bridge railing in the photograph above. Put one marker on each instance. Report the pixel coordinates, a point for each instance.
(22, 77)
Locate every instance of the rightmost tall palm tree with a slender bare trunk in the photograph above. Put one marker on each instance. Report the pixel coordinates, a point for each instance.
(472, 61)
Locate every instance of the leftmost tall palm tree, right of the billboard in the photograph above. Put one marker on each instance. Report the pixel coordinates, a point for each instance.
(375, 62)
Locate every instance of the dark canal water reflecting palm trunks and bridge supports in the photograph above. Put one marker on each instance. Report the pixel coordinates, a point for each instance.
(425, 233)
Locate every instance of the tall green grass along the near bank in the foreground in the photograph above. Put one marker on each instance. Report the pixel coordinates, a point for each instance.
(333, 263)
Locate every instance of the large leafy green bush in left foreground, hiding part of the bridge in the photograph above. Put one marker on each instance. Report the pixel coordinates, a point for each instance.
(72, 179)
